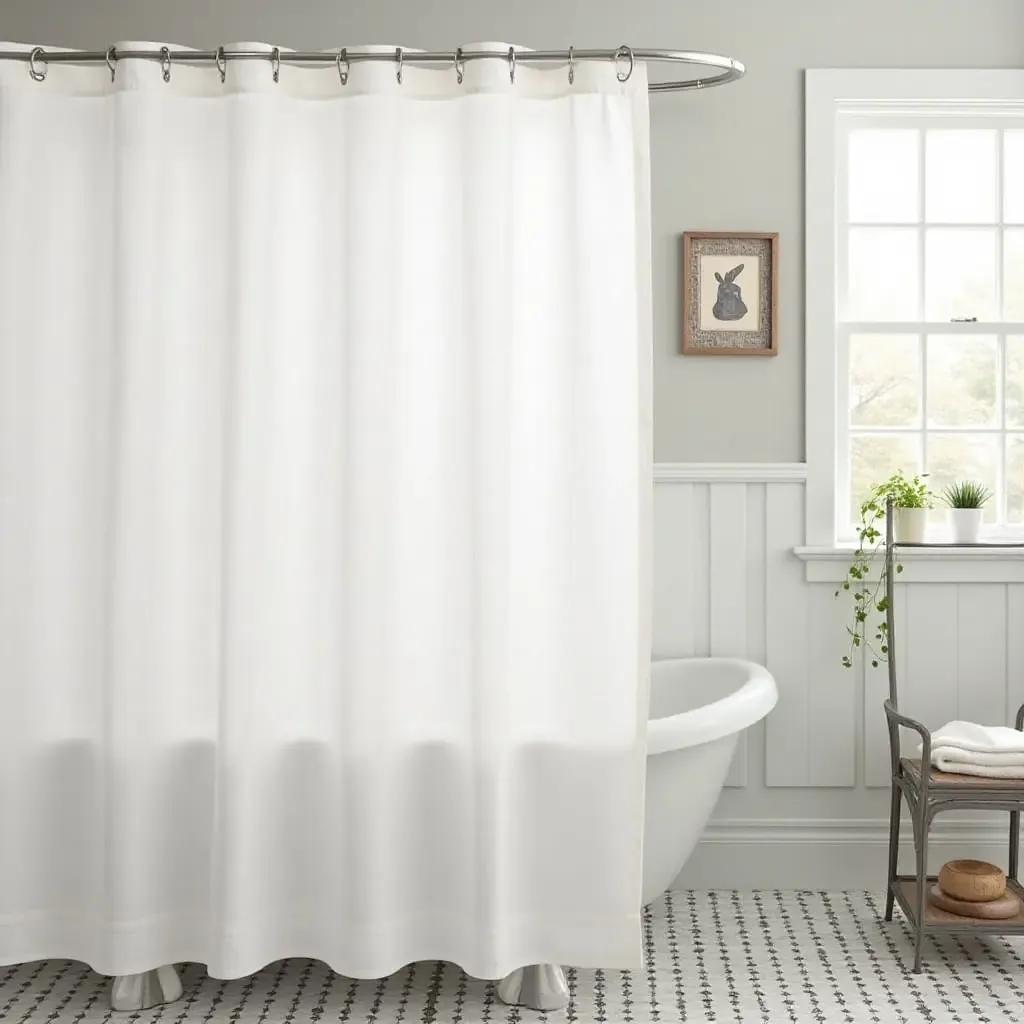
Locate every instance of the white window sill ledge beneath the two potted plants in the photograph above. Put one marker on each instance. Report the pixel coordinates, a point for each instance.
(941, 565)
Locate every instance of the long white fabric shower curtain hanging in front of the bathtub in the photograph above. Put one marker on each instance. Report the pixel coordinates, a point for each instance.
(324, 515)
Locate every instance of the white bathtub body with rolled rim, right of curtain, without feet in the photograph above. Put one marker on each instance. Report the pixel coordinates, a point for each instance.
(699, 707)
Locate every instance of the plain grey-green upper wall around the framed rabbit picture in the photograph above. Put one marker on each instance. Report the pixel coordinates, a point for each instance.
(726, 159)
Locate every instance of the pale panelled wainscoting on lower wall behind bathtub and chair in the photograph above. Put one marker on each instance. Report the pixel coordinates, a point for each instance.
(806, 802)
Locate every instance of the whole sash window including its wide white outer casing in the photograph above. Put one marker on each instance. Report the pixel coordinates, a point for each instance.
(916, 289)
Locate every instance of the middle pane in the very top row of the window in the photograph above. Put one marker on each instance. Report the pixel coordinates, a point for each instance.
(960, 177)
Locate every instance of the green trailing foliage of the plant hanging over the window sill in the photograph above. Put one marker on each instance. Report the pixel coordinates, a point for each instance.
(870, 629)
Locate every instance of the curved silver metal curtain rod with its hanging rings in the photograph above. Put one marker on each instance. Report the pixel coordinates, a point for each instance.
(723, 70)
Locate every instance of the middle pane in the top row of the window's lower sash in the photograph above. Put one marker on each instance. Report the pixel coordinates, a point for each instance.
(962, 381)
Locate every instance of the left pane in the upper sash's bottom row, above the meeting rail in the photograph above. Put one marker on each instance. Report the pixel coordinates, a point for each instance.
(883, 274)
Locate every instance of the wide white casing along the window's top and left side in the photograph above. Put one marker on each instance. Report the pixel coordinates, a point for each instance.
(832, 96)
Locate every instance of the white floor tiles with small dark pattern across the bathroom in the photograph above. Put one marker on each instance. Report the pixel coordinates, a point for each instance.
(801, 957)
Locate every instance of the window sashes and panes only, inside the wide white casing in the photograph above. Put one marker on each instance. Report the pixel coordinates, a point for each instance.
(931, 297)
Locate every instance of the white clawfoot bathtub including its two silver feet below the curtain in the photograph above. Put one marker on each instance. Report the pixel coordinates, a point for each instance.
(699, 708)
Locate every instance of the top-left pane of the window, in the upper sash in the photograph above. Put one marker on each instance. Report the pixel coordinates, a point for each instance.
(884, 178)
